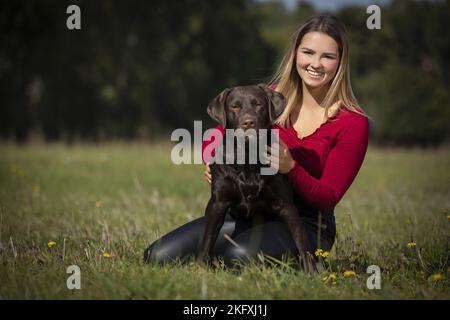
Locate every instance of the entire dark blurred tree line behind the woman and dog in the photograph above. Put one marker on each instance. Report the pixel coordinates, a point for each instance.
(145, 67)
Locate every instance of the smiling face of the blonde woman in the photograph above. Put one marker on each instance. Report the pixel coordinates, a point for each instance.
(317, 59)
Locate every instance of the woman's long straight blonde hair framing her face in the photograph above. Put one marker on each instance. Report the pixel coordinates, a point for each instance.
(340, 94)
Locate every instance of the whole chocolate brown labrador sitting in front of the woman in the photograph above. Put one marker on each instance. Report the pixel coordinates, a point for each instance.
(241, 187)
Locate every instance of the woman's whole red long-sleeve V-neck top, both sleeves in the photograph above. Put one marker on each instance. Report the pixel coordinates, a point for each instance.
(327, 161)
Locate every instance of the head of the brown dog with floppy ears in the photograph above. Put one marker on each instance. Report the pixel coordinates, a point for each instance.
(248, 107)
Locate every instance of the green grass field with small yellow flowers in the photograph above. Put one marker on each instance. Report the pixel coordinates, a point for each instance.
(102, 205)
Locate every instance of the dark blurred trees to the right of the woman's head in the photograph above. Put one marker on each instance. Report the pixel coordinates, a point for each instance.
(400, 73)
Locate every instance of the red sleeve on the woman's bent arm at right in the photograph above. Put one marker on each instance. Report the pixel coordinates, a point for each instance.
(341, 167)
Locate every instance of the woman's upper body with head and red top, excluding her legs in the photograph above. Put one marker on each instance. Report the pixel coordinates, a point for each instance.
(324, 130)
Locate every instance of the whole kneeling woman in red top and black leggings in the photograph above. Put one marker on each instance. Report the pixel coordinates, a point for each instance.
(324, 138)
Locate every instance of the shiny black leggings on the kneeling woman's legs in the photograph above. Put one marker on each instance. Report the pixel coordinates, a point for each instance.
(248, 239)
